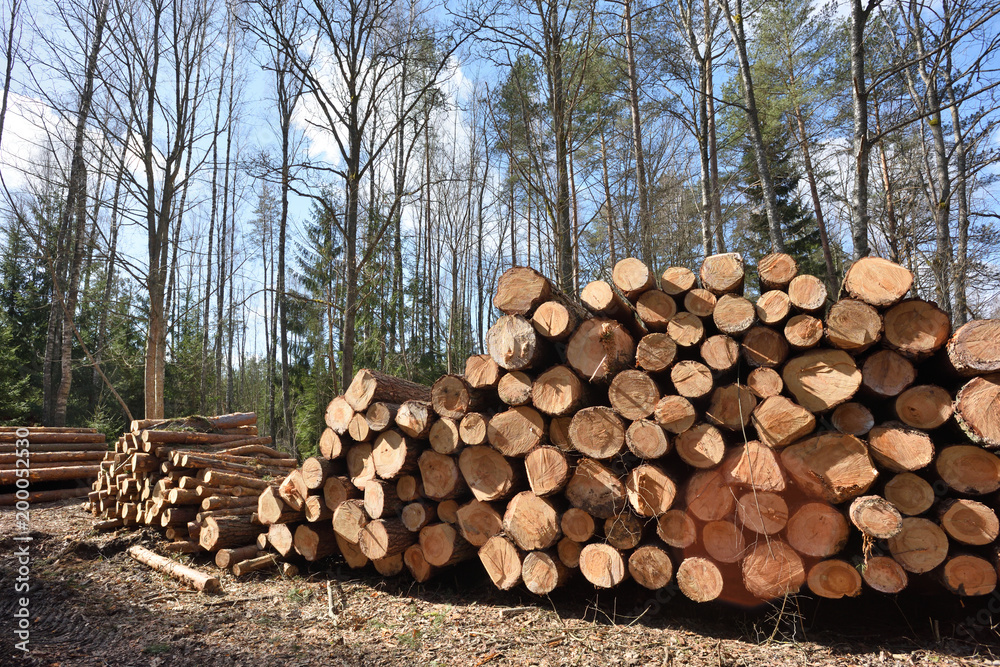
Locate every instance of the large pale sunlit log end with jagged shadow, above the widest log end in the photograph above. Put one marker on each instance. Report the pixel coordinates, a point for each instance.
(820, 380)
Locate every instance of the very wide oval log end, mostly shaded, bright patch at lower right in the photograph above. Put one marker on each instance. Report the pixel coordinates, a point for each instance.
(831, 466)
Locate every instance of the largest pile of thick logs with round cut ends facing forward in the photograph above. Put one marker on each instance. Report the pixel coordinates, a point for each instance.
(666, 432)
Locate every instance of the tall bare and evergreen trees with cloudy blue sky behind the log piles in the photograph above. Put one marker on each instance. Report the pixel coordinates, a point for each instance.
(212, 207)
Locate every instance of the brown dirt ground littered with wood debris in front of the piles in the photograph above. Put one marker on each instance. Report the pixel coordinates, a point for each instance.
(91, 604)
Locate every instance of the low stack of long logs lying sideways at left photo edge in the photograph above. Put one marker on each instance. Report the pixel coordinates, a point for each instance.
(61, 462)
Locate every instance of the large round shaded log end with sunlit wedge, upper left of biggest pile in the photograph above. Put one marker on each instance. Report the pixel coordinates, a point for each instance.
(599, 349)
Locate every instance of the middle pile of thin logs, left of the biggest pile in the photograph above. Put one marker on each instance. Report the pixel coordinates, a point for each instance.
(197, 479)
